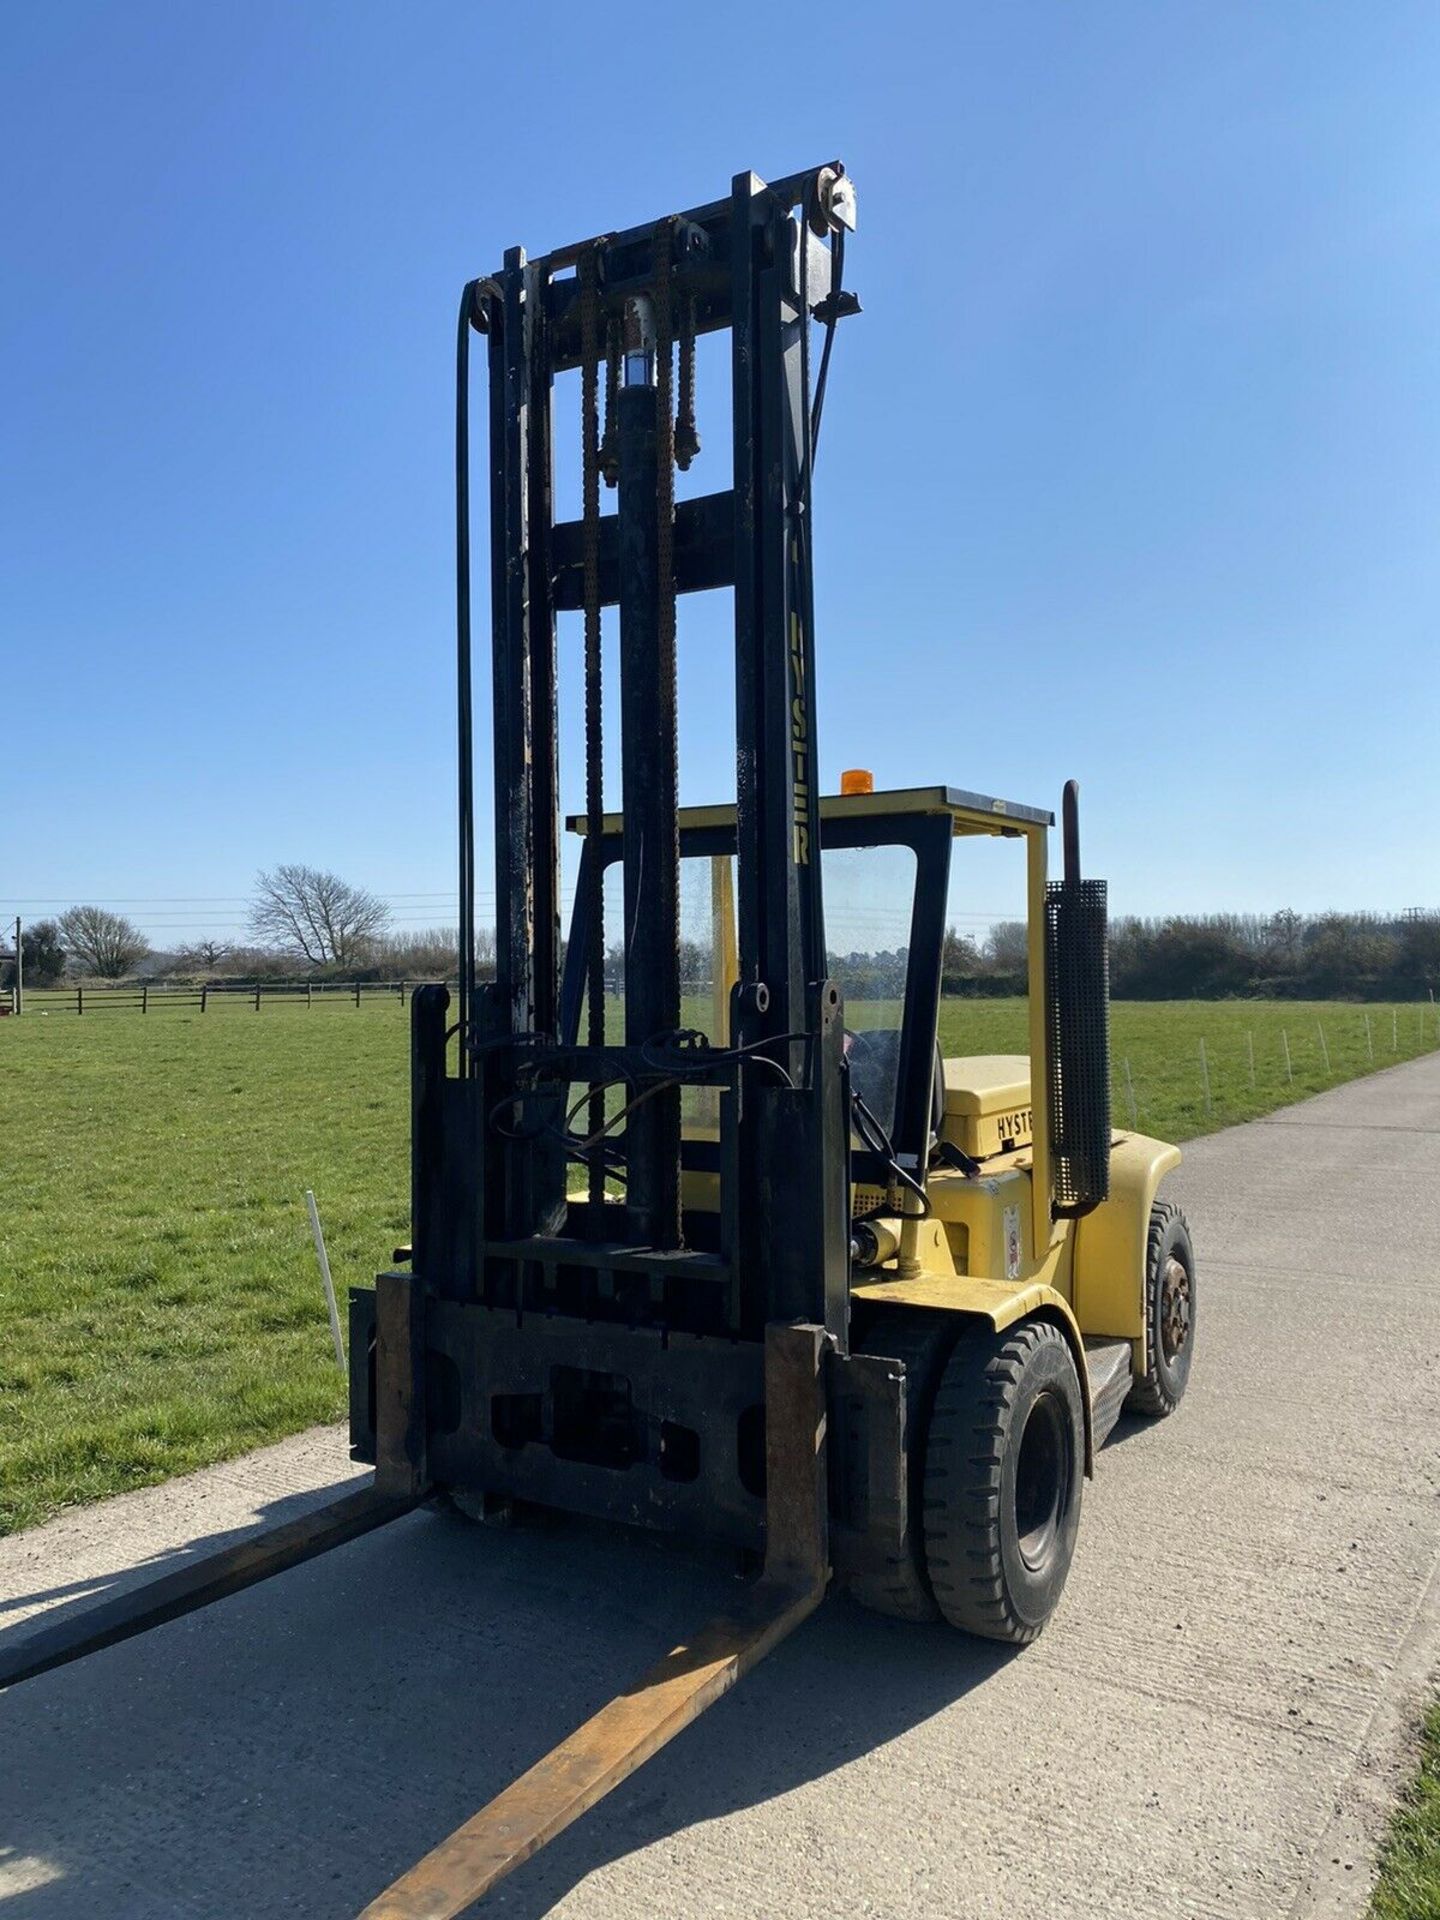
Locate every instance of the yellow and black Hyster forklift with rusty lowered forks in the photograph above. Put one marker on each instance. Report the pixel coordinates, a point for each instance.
(708, 1234)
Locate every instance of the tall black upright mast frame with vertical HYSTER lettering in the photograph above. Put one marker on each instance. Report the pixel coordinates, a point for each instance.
(494, 1222)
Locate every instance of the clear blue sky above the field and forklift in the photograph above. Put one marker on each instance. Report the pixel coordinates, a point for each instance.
(1130, 469)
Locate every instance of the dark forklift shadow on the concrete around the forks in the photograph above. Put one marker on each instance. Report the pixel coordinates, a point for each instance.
(300, 1744)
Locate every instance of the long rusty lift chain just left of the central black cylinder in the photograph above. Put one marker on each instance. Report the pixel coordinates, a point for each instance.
(590, 462)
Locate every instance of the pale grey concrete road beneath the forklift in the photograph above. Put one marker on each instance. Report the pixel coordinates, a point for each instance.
(1212, 1725)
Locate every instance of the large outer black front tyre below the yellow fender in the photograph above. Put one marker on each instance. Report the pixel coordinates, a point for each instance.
(1005, 1466)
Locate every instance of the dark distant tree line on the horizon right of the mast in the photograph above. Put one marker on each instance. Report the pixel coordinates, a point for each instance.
(1214, 957)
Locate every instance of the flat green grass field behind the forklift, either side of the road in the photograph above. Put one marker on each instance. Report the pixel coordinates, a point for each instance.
(158, 1287)
